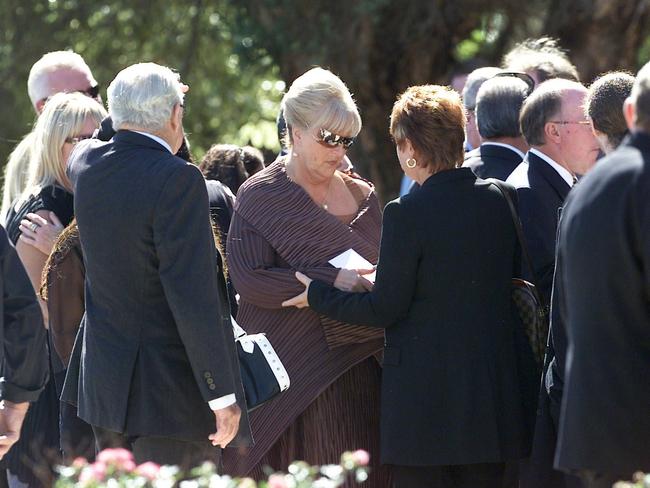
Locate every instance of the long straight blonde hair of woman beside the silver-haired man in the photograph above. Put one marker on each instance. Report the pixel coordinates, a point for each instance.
(64, 116)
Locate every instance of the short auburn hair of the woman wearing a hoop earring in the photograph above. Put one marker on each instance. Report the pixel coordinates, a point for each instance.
(433, 119)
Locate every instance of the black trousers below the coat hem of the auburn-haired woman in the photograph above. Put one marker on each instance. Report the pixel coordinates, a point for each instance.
(484, 475)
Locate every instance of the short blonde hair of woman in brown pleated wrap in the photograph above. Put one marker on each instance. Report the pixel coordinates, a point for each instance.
(319, 98)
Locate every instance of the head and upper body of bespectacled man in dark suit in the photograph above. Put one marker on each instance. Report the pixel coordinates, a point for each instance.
(561, 146)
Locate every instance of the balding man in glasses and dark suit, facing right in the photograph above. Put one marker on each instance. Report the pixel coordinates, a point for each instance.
(562, 144)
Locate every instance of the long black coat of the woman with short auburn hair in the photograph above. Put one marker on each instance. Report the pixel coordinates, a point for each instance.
(450, 391)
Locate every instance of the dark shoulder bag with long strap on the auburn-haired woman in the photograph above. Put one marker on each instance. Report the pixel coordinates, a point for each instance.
(533, 312)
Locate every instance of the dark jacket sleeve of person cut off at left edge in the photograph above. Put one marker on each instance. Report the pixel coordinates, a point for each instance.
(23, 353)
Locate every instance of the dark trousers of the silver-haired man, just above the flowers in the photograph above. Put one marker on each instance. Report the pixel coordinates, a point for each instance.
(160, 450)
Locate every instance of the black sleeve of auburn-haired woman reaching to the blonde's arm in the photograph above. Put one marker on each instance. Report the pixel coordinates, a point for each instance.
(397, 269)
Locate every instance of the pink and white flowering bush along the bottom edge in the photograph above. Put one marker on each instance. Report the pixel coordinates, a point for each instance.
(116, 468)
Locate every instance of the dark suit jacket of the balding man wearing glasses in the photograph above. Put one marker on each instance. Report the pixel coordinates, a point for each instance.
(541, 192)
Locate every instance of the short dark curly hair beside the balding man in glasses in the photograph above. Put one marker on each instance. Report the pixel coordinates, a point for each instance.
(604, 104)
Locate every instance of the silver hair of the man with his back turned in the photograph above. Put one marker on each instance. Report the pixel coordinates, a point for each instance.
(143, 95)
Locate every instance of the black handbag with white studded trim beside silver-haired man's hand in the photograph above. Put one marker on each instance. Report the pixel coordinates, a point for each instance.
(263, 374)
